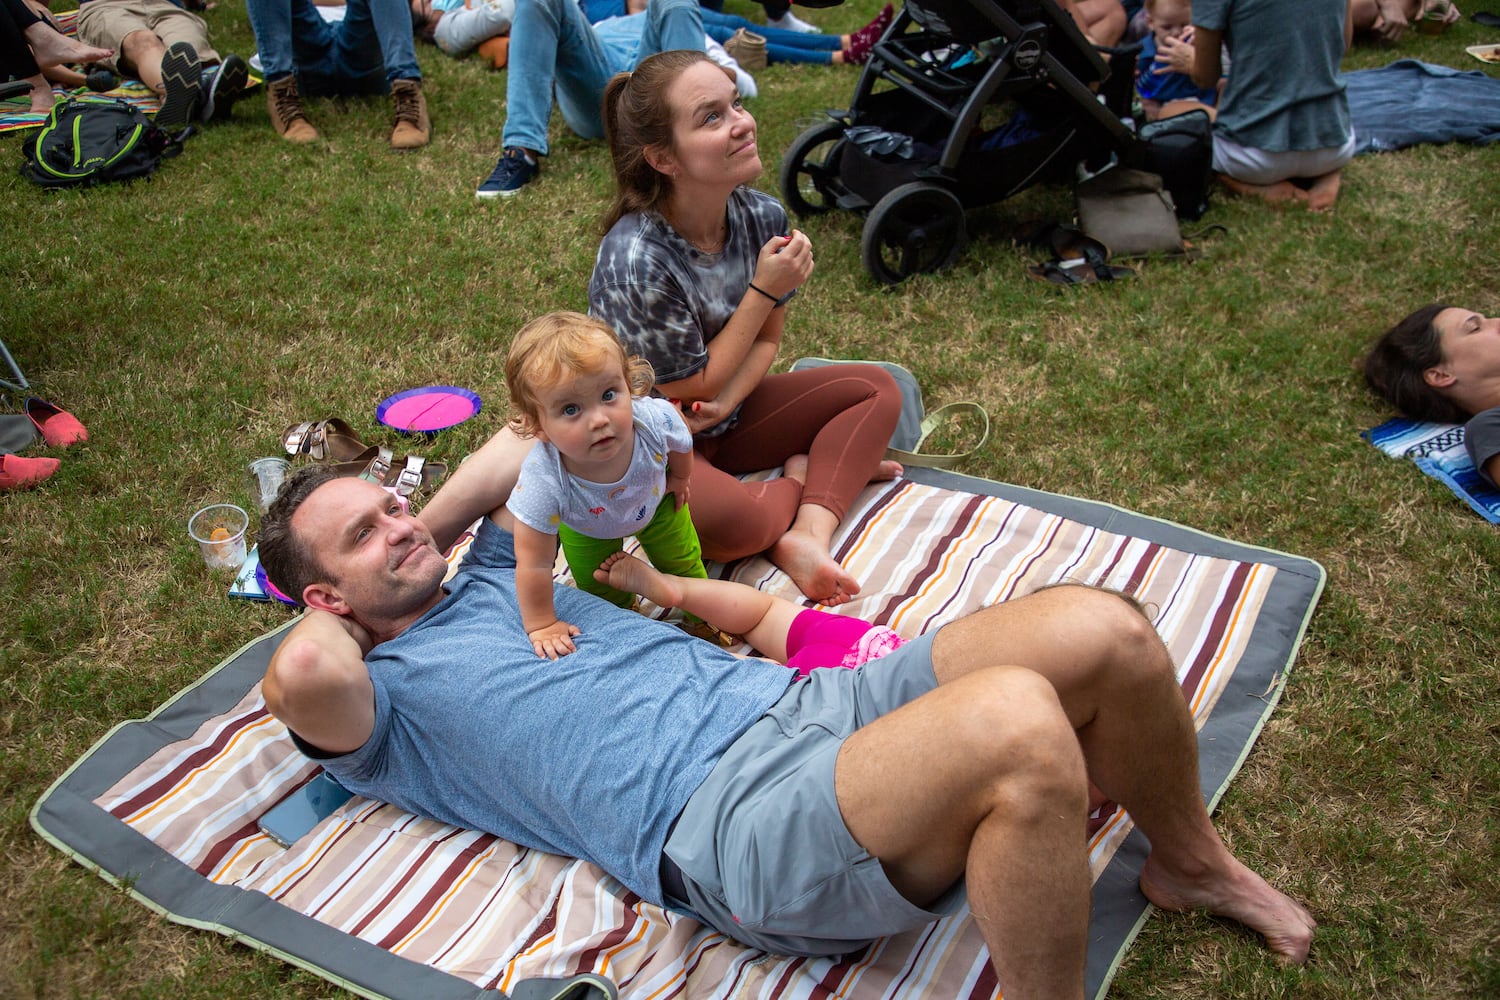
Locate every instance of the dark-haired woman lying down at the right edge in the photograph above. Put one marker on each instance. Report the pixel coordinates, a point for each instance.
(1444, 364)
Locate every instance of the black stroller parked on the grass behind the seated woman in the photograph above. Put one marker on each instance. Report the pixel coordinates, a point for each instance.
(964, 104)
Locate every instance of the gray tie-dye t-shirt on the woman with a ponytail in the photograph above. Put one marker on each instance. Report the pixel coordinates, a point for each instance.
(665, 298)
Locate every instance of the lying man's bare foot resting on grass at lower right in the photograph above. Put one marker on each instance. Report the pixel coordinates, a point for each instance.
(1241, 896)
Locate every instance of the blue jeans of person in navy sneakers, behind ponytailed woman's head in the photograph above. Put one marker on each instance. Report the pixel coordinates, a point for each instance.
(551, 41)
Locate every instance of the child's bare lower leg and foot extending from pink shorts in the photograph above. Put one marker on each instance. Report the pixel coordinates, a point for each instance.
(761, 618)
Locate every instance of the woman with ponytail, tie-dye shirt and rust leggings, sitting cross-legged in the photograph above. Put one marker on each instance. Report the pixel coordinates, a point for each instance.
(695, 275)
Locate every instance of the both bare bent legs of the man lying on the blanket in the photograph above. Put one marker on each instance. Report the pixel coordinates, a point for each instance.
(1096, 672)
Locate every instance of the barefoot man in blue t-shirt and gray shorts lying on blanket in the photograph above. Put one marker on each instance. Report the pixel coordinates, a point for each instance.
(803, 818)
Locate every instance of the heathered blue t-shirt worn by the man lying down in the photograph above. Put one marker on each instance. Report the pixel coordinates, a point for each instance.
(590, 756)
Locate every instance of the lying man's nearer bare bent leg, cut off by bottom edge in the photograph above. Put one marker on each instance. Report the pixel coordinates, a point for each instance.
(982, 779)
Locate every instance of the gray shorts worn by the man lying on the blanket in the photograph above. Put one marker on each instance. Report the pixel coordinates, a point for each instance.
(763, 848)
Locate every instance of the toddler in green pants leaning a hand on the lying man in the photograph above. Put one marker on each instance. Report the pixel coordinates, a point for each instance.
(610, 463)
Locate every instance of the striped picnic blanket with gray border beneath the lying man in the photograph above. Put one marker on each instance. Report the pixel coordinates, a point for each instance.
(392, 905)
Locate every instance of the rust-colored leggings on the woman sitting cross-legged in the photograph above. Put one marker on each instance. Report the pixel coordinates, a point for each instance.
(841, 418)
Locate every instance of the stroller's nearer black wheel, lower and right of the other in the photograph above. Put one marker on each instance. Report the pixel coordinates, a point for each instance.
(916, 229)
